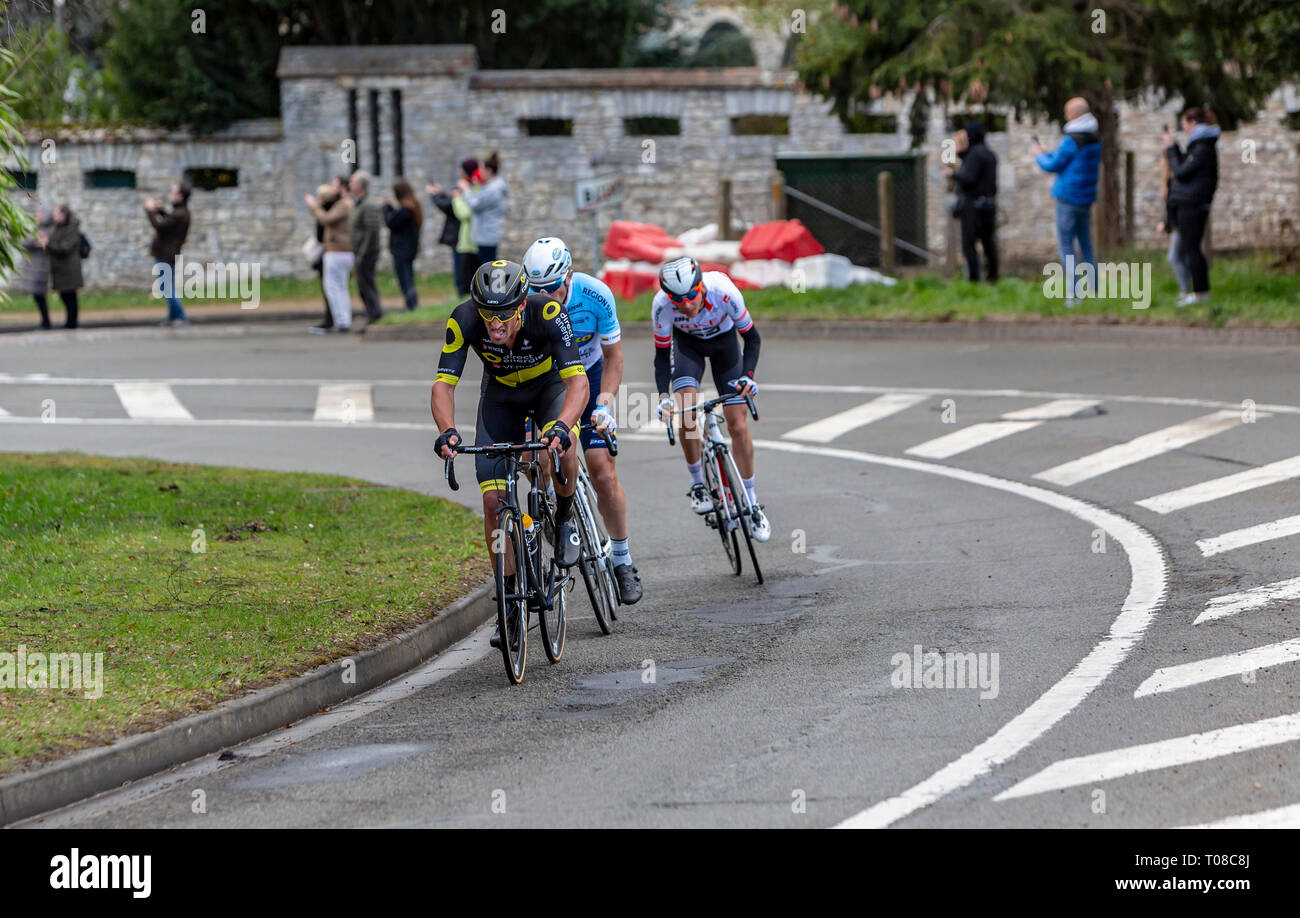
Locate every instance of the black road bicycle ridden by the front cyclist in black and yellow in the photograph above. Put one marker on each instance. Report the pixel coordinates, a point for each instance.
(541, 584)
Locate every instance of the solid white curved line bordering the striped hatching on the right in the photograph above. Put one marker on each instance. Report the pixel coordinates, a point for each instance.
(1146, 596)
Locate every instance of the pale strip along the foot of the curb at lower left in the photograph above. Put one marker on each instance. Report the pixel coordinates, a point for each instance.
(450, 661)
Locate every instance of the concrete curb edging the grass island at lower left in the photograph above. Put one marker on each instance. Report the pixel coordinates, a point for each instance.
(96, 770)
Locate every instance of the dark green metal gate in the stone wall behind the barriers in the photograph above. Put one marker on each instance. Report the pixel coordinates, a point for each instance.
(848, 184)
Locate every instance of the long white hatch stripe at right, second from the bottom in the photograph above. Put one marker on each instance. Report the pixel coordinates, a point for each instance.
(1155, 756)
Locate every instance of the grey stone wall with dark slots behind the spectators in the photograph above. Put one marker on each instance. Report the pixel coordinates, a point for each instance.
(450, 111)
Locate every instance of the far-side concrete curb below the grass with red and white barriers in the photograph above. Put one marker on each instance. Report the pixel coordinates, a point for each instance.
(969, 332)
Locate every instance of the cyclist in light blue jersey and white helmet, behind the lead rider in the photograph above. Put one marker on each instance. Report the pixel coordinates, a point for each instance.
(595, 317)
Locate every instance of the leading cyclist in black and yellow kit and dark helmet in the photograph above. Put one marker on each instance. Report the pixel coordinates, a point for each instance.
(531, 366)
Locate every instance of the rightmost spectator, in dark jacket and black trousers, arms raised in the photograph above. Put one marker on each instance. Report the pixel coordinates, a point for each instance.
(1191, 193)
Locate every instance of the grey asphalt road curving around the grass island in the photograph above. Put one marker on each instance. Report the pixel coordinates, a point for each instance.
(788, 704)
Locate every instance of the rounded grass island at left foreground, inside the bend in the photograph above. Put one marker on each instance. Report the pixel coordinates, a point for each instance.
(103, 556)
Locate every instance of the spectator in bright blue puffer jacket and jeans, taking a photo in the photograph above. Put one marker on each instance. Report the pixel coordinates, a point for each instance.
(1077, 163)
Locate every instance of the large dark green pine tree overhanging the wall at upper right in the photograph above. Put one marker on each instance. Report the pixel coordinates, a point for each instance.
(1034, 55)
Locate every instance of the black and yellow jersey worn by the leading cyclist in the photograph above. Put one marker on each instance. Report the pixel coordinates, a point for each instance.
(544, 345)
